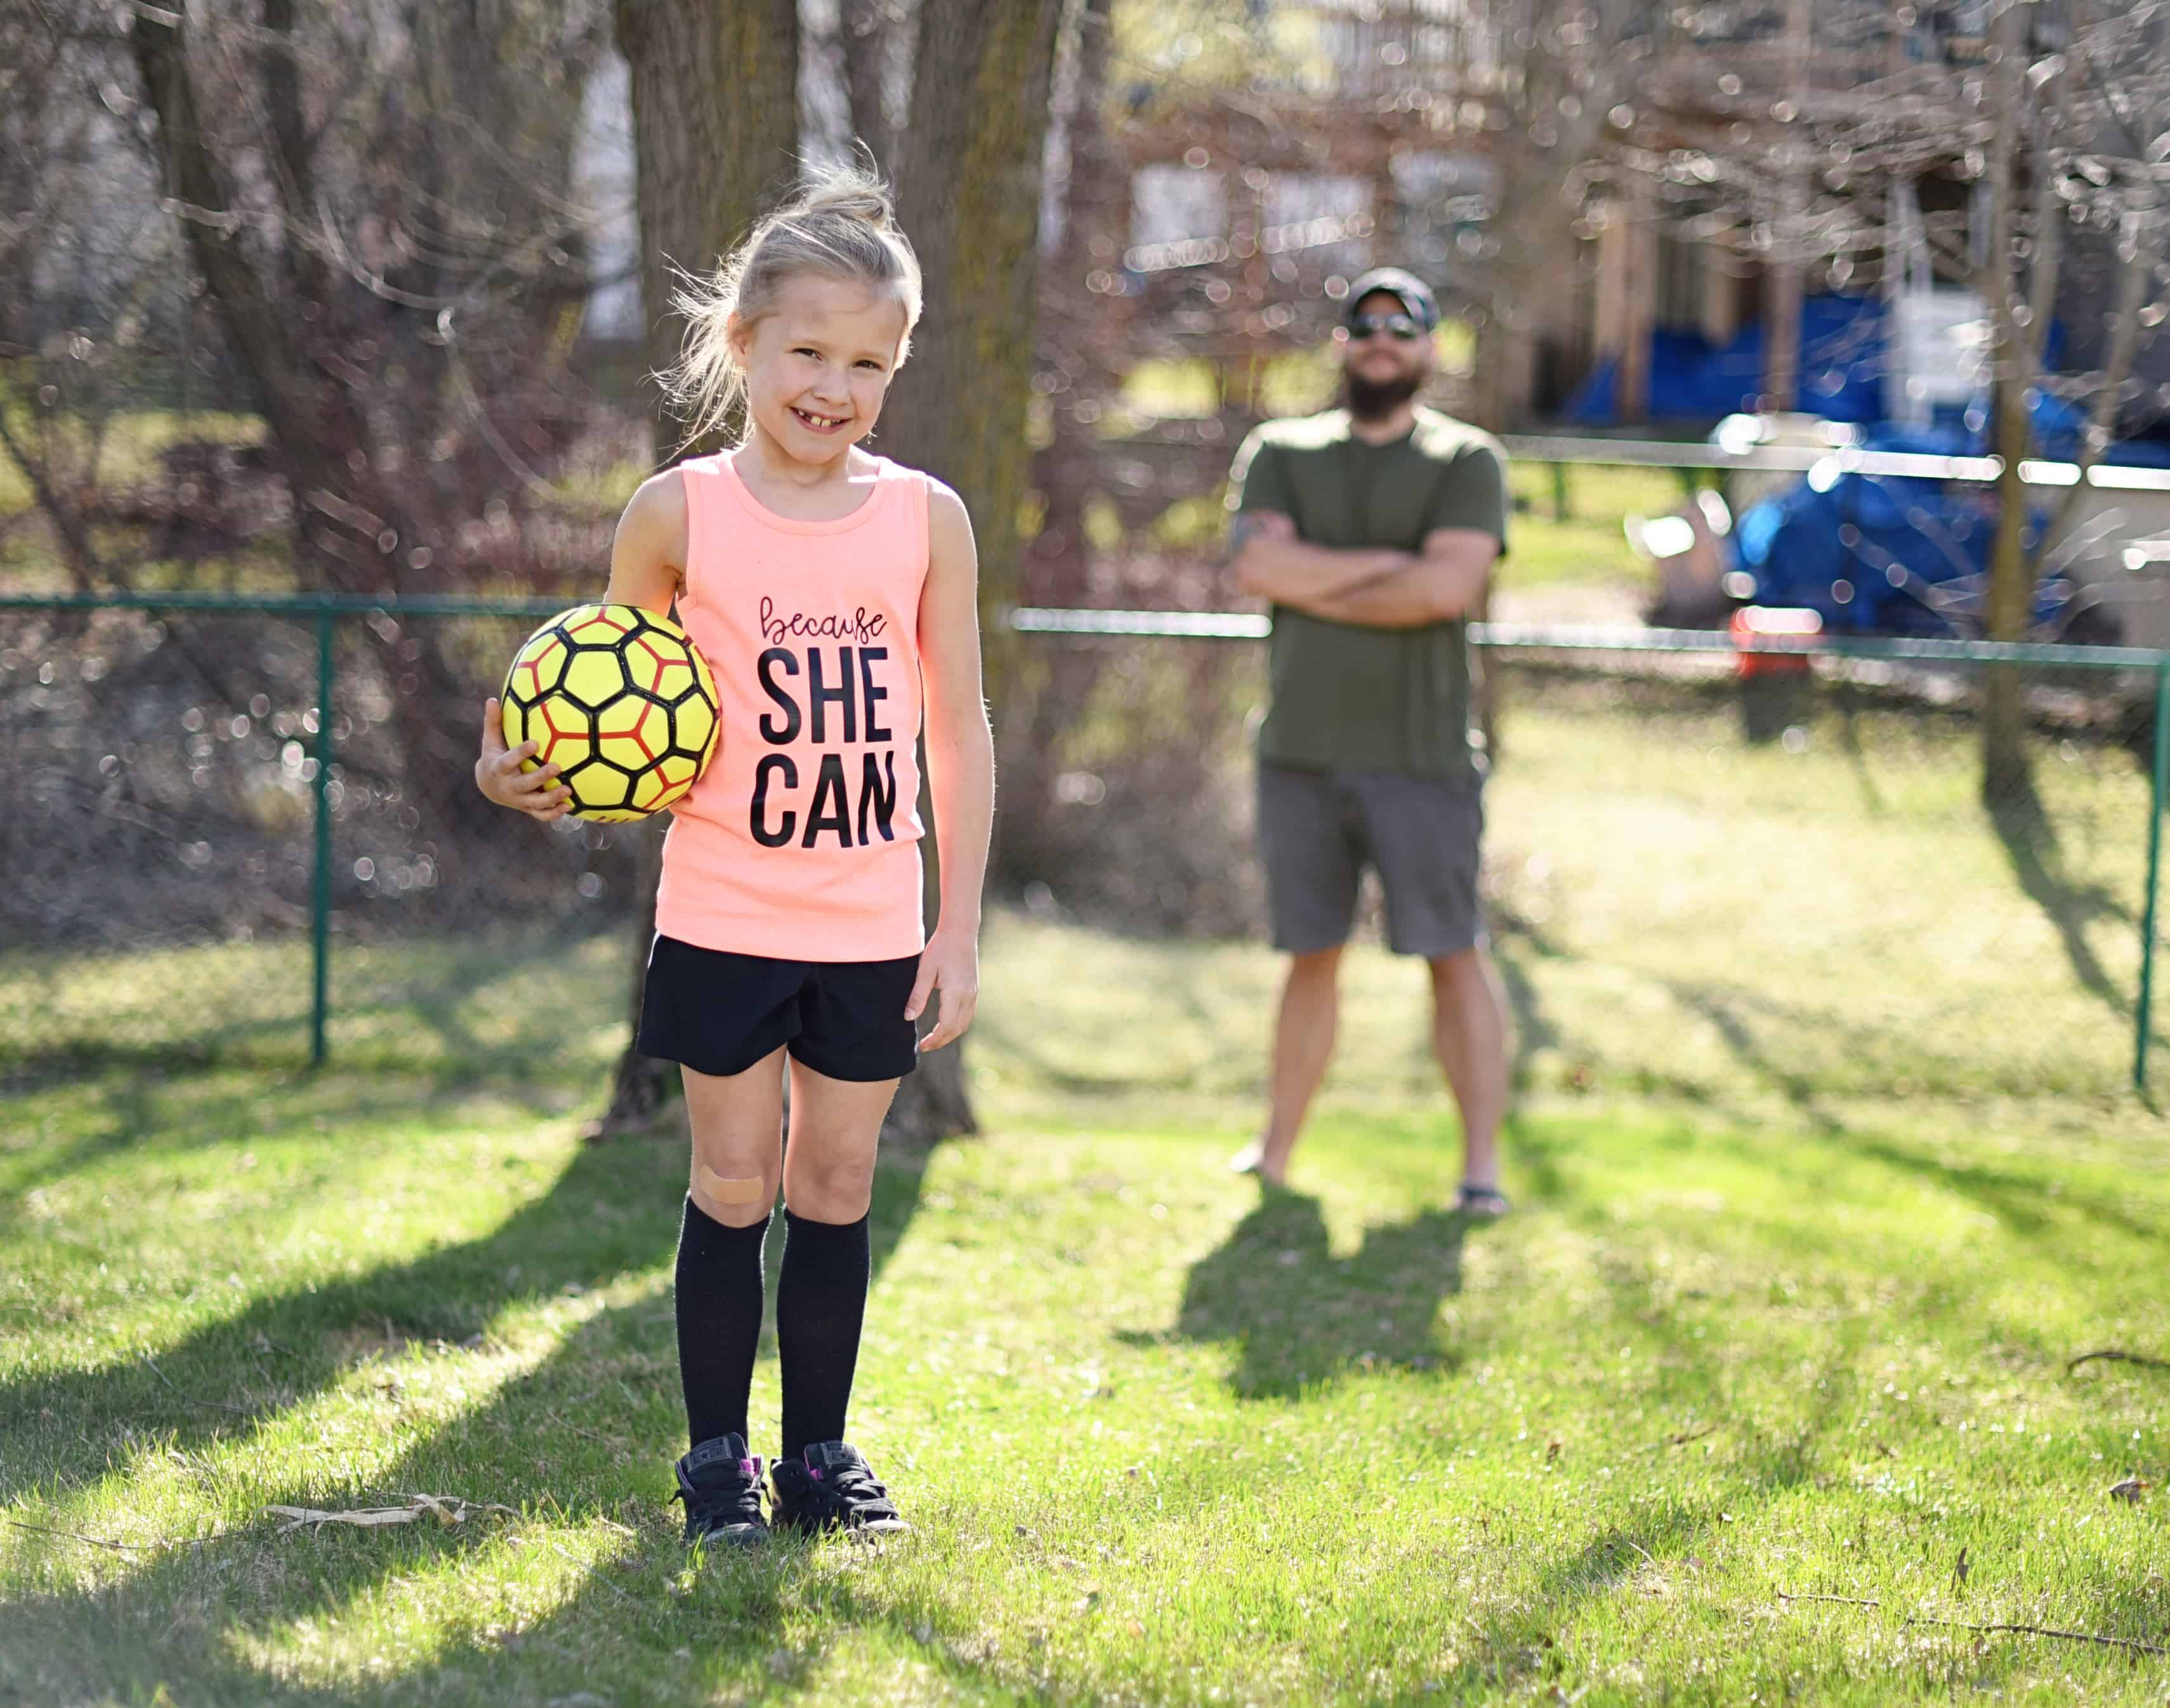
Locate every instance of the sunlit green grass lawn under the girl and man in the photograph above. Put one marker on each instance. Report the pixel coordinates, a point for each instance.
(1824, 1180)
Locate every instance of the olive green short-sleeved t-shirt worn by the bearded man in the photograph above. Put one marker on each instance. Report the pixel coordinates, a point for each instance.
(1344, 693)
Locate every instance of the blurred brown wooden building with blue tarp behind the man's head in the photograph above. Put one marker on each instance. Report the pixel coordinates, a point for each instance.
(1776, 205)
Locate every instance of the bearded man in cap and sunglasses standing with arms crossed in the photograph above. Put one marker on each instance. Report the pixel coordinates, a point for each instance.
(1373, 533)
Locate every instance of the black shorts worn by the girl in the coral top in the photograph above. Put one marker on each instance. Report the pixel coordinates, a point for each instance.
(719, 1012)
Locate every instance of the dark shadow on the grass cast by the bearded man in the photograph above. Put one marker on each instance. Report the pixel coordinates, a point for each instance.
(1301, 1316)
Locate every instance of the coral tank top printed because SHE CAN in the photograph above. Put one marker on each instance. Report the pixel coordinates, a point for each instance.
(804, 837)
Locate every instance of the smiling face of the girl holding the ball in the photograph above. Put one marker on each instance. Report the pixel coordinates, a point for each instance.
(819, 368)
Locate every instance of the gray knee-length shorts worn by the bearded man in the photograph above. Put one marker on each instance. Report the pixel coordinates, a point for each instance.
(1318, 830)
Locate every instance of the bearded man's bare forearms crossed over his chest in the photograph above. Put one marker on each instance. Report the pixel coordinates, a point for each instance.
(1377, 589)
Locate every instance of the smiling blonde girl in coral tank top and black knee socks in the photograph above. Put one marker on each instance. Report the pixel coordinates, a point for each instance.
(826, 587)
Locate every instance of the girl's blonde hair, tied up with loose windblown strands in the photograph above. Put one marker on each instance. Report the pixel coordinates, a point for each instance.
(841, 225)
